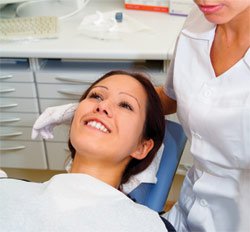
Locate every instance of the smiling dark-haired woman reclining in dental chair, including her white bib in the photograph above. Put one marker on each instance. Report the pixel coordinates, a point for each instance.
(115, 133)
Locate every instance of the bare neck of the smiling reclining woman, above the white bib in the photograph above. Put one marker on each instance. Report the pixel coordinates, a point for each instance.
(103, 172)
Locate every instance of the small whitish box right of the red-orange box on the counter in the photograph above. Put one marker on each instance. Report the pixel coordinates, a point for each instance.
(180, 7)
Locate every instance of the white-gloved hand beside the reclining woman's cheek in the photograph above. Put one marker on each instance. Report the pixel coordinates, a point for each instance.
(52, 117)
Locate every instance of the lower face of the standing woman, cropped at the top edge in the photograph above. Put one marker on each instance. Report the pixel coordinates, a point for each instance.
(222, 11)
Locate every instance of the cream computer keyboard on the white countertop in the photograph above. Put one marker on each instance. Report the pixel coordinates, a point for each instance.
(38, 27)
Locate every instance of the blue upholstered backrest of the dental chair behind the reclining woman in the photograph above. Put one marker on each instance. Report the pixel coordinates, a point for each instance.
(155, 195)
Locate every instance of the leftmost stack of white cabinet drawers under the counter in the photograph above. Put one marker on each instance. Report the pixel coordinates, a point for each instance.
(18, 112)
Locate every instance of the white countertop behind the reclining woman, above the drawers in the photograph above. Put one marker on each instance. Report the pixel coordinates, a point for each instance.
(155, 44)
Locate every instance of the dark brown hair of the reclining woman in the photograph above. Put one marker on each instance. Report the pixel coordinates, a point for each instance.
(154, 126)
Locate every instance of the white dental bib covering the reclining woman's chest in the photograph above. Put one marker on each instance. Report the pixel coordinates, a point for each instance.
(71, 202)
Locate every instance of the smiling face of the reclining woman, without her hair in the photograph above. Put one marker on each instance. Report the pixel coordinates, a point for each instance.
(108, 123)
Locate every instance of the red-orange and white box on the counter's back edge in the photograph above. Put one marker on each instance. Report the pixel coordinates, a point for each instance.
(155, 5)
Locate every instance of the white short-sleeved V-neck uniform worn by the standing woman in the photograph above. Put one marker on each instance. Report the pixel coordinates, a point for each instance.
(215, 114)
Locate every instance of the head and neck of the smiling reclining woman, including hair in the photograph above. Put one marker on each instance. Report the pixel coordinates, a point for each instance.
(117, 100)
